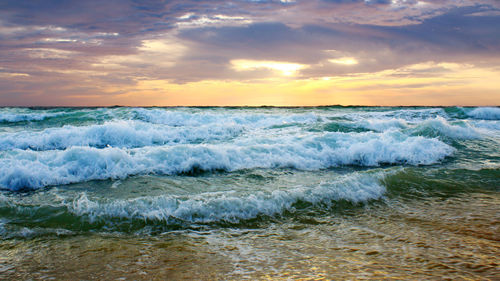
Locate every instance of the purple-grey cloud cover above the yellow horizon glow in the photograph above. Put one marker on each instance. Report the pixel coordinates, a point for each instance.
(51, 49)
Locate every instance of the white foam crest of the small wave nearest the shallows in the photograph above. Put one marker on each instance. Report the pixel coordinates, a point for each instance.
(228, 206)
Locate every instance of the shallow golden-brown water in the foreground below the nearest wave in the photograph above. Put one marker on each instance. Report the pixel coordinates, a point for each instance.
(455, 238)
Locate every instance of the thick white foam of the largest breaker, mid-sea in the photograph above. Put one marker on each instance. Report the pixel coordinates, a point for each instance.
(31, 169)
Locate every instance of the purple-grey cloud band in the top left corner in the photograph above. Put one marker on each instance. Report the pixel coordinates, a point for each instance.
(126, 17)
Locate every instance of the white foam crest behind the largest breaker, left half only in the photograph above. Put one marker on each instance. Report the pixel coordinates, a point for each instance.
(118, 133)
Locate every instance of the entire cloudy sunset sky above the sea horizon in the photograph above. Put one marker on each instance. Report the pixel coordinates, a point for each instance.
(249, 52)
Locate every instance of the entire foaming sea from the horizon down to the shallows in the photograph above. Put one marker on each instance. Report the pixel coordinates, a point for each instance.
(250, 193)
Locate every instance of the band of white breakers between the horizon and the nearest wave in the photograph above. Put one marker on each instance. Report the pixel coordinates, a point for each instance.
(115, 143)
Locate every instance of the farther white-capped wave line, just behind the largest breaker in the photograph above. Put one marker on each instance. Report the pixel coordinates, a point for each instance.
(132, 133)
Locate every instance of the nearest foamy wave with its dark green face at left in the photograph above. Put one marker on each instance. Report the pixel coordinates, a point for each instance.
(79, 211)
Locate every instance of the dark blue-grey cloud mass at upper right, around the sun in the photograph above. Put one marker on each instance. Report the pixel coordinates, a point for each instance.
(454, 37)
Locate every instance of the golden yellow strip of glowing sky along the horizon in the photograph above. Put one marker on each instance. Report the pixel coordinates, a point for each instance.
(377, 88)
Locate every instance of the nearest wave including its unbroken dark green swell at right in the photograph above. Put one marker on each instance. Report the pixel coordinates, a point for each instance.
(69, 211)
